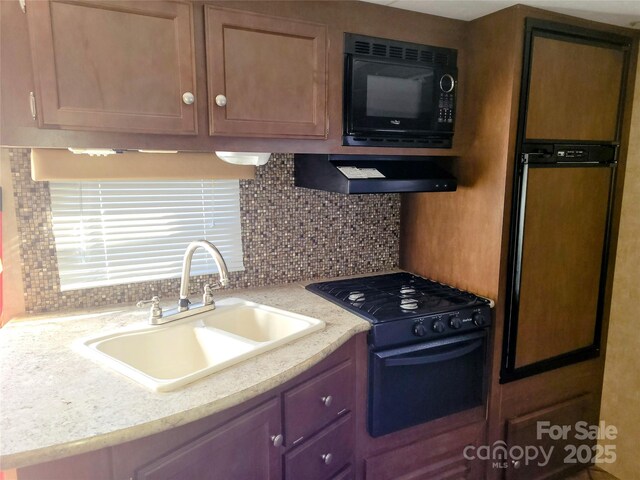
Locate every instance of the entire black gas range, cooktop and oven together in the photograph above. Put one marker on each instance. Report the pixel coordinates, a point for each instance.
(427, 347)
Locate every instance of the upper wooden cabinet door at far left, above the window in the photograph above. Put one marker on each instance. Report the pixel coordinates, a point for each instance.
(113, 66)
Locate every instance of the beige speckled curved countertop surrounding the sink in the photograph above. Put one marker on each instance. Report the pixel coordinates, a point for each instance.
(55, 402)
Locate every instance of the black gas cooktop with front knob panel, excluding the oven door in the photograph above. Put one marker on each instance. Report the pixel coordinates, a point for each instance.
(405, 308)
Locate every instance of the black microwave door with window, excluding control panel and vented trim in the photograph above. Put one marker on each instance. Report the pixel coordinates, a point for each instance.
(388, 96)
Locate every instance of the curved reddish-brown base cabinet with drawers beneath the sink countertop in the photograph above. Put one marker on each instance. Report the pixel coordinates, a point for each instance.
(247, 442)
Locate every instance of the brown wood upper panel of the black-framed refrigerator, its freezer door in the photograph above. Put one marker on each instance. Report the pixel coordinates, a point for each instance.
(575, 88)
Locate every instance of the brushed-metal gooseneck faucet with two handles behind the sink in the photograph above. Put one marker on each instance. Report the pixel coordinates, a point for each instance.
(158, 317)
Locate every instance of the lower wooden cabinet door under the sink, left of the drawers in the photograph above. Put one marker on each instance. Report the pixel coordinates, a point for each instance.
(242, 449)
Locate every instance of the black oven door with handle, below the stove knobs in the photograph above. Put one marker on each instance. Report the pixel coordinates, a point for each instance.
(422, 382)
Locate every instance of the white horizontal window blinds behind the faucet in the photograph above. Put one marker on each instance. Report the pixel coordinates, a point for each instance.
(110, 233)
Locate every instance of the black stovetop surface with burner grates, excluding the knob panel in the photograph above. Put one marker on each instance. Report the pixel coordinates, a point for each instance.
(385, 298)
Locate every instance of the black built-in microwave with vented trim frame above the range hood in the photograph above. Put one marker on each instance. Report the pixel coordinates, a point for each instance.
(398, 94)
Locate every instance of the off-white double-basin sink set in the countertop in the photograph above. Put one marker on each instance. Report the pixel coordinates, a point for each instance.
(165, 357)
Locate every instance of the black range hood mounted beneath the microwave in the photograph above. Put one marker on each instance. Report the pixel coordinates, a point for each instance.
(371, 174)
